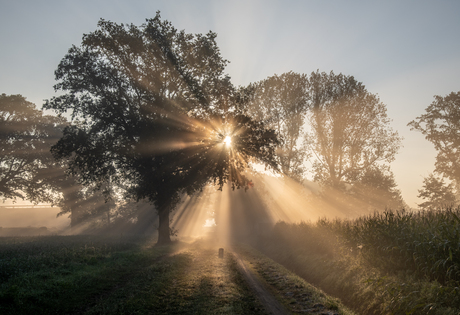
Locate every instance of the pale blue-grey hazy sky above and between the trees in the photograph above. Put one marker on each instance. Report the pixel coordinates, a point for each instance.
(404, 51)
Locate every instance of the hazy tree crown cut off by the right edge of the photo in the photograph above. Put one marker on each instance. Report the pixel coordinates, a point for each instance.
(441, 126)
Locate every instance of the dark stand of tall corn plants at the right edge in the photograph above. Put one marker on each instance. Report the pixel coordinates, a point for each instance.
(426, 243)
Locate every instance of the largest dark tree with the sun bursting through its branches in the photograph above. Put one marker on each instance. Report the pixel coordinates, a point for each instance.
(151, 107)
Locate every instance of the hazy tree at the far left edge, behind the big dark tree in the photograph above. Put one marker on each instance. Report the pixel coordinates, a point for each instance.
(26, 164)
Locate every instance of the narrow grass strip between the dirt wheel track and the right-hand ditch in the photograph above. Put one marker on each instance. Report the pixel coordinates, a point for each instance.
(297, 295)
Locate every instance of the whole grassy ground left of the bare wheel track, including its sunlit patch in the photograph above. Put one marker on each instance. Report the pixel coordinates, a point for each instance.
(118, 275)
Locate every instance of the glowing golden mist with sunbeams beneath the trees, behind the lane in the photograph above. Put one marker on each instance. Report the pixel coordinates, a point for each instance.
(230, 216)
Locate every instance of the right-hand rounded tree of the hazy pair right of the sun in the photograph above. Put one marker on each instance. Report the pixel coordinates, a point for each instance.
(349, 130)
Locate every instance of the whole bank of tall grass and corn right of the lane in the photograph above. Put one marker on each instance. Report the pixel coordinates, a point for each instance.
(395, 262)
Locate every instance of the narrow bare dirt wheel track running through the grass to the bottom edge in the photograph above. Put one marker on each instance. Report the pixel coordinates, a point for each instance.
(270, 303)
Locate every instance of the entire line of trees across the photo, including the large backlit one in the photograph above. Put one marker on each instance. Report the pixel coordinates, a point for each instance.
(149, 106)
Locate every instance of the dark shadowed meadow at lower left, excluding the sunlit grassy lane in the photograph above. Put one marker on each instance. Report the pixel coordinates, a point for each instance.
(65, 274)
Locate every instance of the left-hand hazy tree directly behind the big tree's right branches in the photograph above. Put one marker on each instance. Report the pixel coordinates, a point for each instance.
(281, 102)
